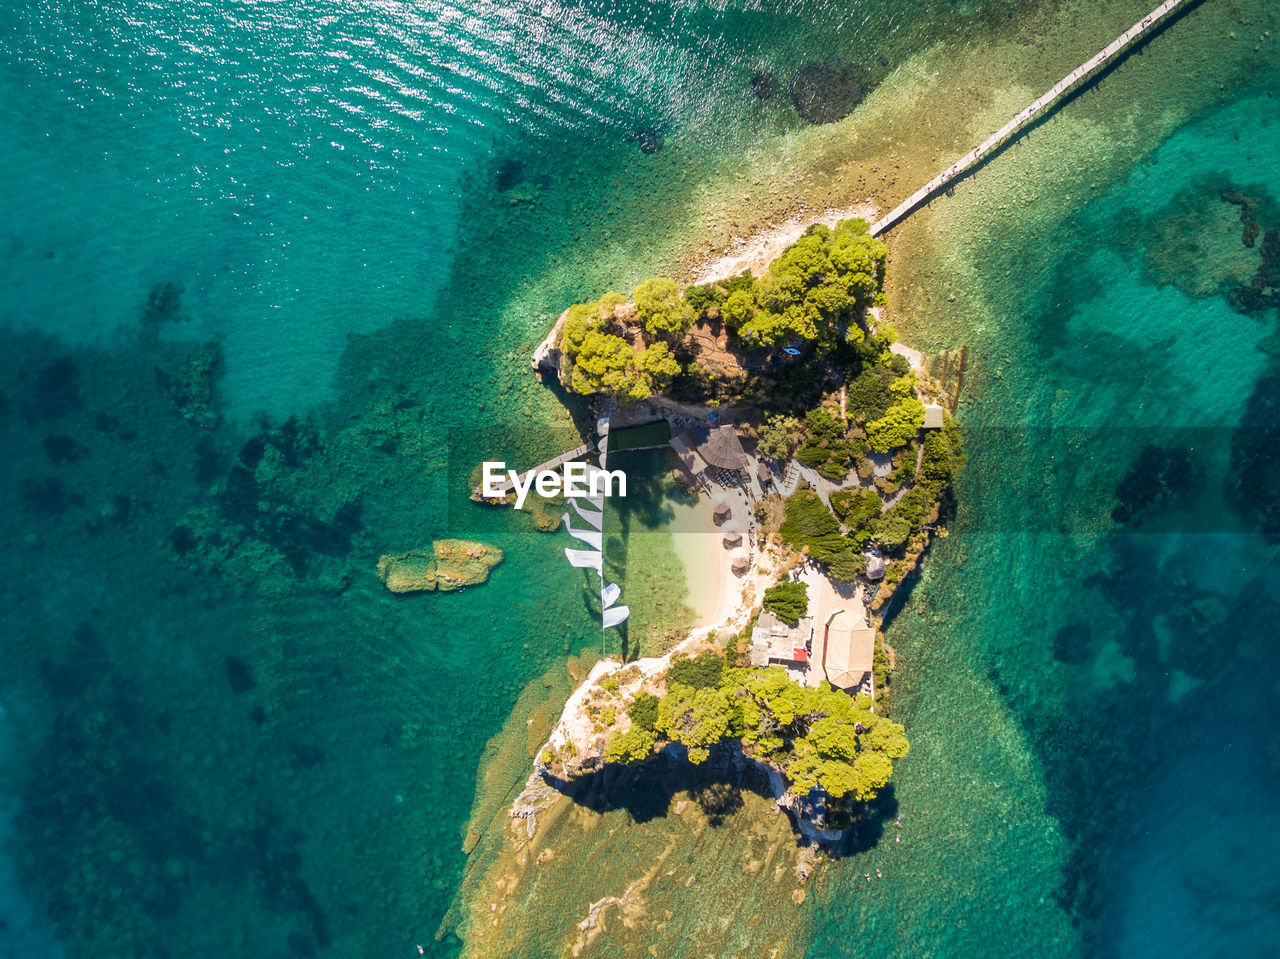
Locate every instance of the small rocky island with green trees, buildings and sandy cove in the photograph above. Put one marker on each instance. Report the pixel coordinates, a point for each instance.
(828, 451)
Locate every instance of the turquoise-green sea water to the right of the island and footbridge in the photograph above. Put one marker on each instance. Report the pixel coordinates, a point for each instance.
(1090, 697)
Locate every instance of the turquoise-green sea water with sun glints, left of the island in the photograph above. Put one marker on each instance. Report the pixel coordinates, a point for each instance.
(223, 736)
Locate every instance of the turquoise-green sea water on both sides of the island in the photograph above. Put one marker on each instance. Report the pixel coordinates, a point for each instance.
(223, 737)
